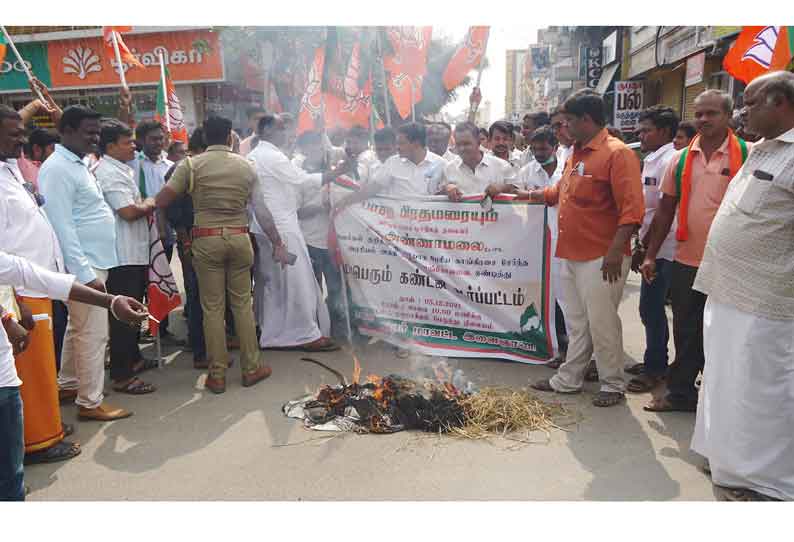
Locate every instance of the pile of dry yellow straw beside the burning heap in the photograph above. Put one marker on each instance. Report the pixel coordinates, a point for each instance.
(509, 413)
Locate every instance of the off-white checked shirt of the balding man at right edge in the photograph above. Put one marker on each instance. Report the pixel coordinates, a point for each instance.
(748, 262)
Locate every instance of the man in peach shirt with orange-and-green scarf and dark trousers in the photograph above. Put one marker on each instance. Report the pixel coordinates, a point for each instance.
(699, 182)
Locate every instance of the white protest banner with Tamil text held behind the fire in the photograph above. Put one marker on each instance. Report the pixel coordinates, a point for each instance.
(448, 279)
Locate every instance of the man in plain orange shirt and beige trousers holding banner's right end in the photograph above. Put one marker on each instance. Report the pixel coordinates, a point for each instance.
(601, 205)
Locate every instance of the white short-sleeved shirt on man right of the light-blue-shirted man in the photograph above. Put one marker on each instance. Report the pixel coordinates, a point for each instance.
(120, 190)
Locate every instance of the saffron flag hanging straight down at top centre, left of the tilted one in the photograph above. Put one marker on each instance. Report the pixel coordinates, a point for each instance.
(407, 64)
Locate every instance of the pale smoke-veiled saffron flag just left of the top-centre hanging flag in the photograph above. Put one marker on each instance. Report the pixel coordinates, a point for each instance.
(347, 104)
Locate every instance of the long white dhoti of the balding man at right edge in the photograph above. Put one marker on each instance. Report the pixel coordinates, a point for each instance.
(745, 416)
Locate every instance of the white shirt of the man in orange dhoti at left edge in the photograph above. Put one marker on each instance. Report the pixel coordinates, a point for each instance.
(26, 230)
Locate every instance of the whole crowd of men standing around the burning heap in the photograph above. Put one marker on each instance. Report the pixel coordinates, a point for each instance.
(706, 217)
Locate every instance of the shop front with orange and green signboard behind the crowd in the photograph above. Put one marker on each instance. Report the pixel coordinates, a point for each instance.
(80, 71)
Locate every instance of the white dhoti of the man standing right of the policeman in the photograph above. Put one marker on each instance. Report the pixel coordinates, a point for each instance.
(288, 302)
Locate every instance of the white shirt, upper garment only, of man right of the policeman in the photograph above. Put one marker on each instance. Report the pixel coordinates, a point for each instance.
(279, 180)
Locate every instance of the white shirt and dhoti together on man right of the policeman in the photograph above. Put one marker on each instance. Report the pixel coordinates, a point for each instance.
(288, 302)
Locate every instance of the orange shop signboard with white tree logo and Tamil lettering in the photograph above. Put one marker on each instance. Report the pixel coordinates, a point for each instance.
(192, 56)
